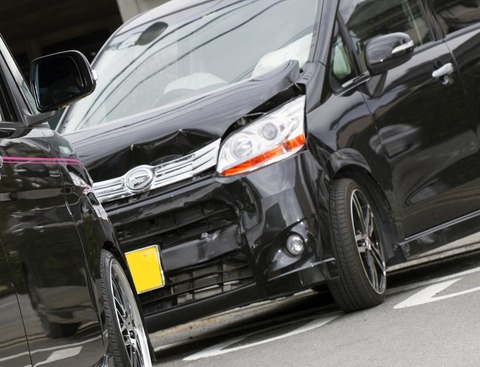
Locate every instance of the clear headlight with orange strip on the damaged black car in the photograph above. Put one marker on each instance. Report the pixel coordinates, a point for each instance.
(271, 138)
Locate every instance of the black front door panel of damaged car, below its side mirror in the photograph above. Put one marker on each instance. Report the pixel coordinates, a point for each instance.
(428, 170)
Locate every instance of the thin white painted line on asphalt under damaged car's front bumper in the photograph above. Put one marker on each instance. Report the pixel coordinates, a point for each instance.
(222, 348)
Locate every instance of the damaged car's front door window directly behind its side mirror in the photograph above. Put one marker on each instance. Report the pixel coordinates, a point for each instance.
(371, 18)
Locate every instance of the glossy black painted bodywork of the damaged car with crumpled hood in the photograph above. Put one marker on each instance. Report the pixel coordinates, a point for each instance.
(411, 138)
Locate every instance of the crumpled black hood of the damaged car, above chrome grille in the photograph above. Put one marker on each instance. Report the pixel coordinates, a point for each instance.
(175, 130)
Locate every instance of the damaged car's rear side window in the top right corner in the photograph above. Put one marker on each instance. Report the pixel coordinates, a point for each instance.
(454, 15)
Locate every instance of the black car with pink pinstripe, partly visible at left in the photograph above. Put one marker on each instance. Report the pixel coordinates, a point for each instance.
(66, 295)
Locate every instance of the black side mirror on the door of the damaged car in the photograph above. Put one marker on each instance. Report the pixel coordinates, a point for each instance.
(387, 52)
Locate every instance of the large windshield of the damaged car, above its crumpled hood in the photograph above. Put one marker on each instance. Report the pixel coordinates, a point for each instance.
(171, 58)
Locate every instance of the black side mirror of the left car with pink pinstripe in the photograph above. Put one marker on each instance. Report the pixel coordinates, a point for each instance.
(60, 79)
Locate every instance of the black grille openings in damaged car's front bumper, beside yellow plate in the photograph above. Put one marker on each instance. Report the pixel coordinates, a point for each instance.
(221, 274)
